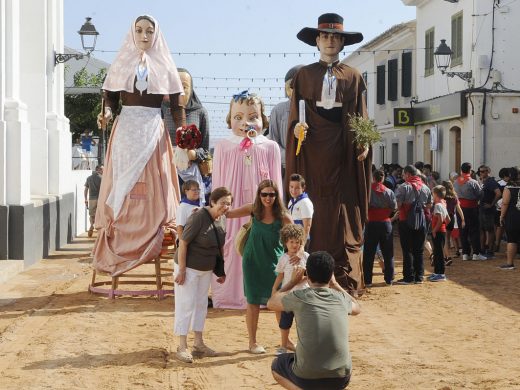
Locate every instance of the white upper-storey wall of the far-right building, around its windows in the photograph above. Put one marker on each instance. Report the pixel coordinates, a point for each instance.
(477, 38)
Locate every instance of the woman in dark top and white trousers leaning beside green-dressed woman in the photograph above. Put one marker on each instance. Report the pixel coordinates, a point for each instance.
(194, 263)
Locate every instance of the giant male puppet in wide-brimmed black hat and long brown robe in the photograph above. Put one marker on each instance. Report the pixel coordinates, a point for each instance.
(337, 171)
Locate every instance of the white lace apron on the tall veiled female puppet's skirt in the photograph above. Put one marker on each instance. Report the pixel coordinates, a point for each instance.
(136, 137)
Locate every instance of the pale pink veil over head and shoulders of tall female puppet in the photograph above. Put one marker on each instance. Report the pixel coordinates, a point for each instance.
(163, 78)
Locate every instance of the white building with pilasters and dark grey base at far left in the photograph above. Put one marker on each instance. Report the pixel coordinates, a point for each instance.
(37, 187)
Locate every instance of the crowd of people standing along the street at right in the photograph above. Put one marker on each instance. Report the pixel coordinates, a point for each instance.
(467, 216)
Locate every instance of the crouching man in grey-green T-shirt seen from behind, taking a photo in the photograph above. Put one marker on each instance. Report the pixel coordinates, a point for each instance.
(322, 359)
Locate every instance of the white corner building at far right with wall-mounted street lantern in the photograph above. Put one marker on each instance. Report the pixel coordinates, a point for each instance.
(474, 121)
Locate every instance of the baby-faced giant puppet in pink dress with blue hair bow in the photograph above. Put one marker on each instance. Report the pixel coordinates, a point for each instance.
(240, 163)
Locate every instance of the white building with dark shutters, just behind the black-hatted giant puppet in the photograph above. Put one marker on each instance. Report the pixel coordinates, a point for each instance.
(387, 63)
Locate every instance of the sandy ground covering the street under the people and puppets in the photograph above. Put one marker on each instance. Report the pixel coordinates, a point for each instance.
(55, 335)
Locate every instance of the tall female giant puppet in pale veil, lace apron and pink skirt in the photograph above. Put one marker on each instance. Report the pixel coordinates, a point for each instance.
(139, 191)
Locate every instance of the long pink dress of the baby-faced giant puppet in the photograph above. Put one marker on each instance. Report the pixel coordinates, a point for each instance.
(241, 171)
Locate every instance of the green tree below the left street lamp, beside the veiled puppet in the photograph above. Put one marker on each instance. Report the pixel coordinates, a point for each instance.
(82, 109)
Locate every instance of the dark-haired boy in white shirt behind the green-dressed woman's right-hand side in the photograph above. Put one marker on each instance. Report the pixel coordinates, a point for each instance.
(300, 206)
